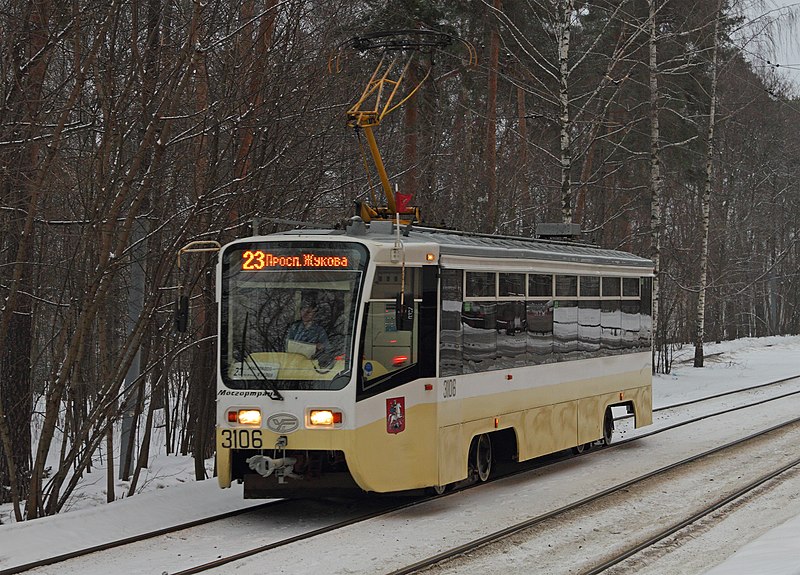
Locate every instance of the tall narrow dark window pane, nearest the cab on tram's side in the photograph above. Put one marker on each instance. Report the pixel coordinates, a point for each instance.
(450, 347)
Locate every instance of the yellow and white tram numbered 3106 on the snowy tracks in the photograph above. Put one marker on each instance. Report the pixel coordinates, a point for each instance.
(425, 355)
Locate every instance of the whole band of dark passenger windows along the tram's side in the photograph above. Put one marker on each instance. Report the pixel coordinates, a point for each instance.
(590, 319)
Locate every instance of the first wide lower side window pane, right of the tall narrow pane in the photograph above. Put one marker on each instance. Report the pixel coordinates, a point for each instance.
(479, 335)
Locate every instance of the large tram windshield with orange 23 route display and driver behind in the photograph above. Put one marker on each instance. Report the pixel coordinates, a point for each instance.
(288, 314)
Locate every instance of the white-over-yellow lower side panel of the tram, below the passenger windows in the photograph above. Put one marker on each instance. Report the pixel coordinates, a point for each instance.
(550, 408)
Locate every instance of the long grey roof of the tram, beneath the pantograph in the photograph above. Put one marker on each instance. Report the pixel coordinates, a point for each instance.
(469, 244)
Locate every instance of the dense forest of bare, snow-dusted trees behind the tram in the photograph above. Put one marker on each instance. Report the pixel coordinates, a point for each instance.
(129, 129)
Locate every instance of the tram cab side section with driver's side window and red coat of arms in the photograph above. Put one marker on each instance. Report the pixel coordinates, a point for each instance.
(396, 449)
